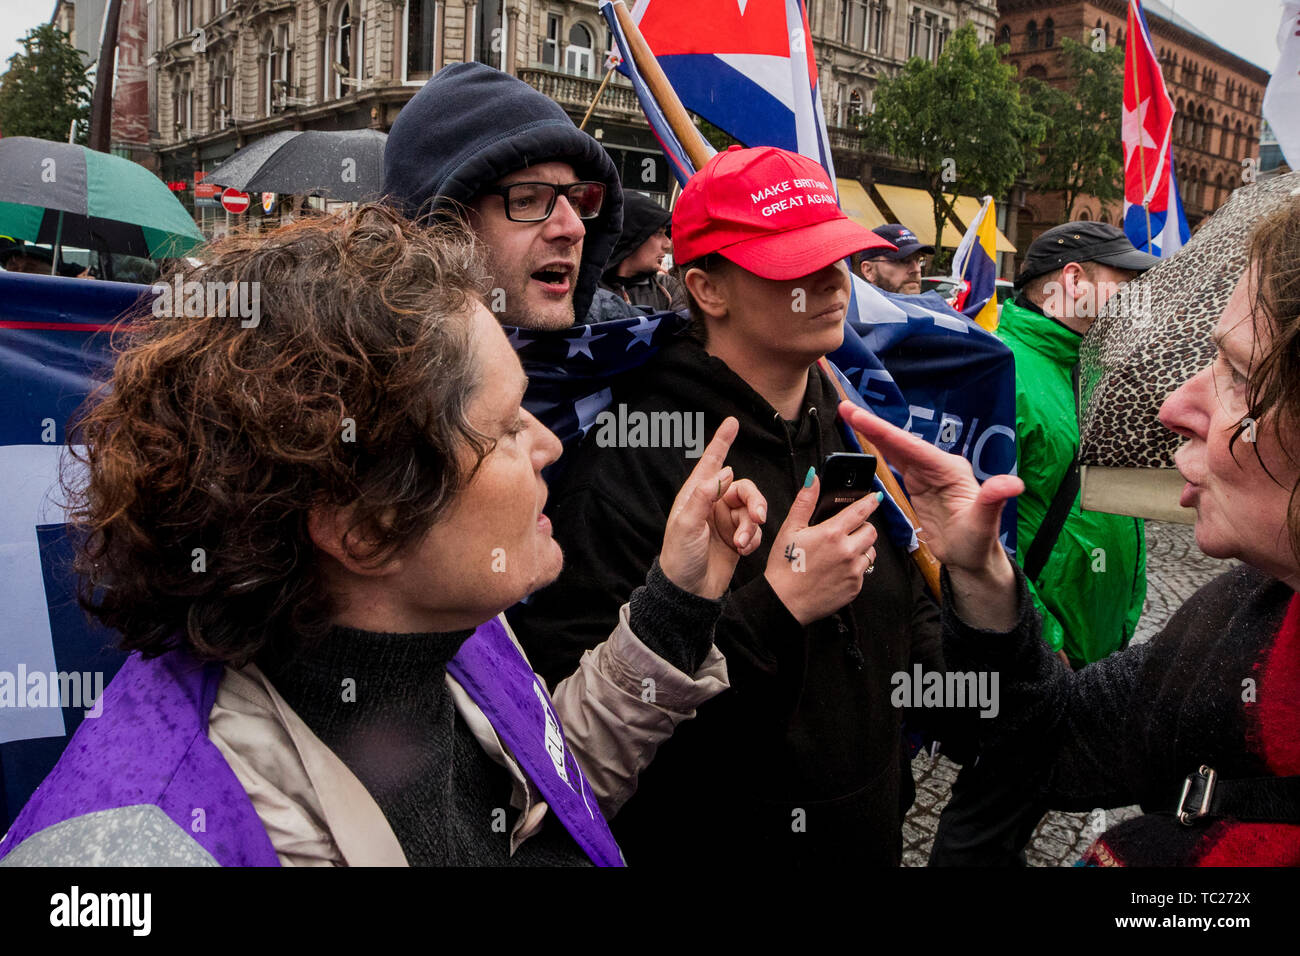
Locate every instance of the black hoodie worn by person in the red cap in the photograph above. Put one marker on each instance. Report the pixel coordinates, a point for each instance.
(801, 762)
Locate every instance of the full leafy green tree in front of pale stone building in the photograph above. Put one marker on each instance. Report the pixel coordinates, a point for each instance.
(963, 122)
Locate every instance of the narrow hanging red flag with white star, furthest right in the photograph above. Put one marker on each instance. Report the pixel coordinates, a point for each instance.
(1154, 211)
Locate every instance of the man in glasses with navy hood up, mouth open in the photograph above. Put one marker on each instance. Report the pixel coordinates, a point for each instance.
(543, 196)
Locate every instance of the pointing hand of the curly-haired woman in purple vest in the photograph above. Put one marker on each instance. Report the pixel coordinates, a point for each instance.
(714, 521)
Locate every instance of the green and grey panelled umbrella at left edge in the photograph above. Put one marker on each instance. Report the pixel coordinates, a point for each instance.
(66, 194)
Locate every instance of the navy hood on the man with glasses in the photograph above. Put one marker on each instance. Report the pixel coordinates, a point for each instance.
(470, 127)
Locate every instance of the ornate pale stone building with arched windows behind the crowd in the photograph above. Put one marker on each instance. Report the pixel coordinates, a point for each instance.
(228, 72)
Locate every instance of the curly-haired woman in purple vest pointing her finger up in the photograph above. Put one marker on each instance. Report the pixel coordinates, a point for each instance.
(307, 524)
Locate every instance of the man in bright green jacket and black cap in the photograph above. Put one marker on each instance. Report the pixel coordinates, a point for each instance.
(1086, 570)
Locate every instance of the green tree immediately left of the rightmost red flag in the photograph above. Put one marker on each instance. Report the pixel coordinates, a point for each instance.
(1084, 126)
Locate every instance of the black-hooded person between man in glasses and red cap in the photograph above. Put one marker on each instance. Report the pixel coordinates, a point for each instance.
(636, 272)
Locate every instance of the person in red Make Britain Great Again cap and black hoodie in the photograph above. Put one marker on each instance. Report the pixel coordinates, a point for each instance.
(801, 762)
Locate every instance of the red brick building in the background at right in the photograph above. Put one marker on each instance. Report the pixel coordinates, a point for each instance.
(1217, 100)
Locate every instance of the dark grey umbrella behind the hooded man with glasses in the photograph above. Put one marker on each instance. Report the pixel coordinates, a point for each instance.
(345, 166)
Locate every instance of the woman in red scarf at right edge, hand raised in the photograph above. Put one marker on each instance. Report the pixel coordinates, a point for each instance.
(1202, 726)
